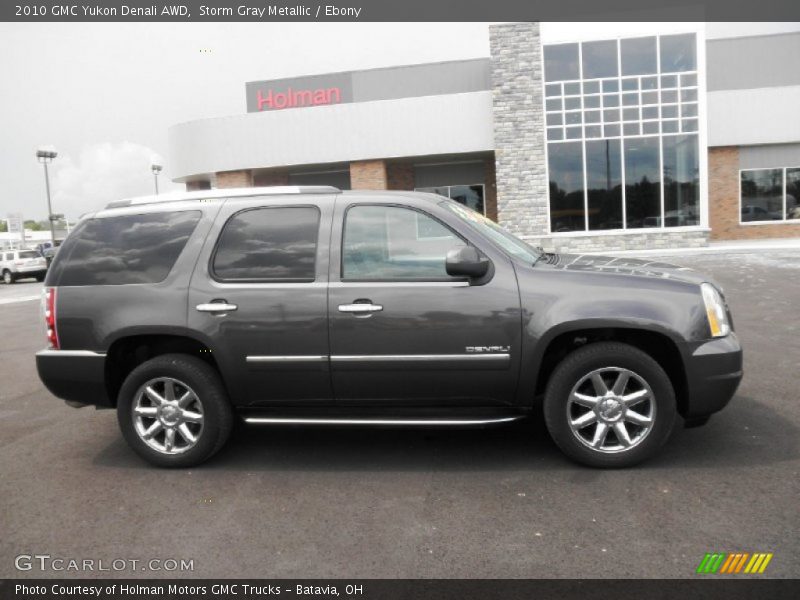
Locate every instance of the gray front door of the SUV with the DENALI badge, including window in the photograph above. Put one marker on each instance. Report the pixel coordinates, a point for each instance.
(401, 330)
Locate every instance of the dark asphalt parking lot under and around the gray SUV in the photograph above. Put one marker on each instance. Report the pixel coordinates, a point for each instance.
(501, 502)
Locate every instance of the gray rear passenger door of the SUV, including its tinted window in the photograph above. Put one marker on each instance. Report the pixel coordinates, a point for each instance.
(259, 297)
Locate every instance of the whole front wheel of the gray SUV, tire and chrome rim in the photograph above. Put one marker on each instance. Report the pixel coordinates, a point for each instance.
(609, 405)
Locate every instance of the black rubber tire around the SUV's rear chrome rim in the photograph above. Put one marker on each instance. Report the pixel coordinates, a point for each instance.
(209, 391)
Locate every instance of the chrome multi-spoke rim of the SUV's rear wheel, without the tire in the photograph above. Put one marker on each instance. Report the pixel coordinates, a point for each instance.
(167, 415)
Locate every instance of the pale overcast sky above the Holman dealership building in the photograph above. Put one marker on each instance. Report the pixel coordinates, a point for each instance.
(105, 94)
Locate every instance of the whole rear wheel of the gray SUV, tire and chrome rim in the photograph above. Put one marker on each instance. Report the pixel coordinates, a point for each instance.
(173, 411)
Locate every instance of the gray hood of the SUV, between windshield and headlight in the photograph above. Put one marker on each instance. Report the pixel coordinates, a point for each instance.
(624, 266)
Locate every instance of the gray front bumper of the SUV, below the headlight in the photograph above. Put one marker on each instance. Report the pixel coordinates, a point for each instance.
(713, 373)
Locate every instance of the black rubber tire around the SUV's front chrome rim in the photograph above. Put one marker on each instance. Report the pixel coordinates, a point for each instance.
(591, 358)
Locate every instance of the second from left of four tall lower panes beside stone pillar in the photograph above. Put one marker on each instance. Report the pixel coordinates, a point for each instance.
(604, 184)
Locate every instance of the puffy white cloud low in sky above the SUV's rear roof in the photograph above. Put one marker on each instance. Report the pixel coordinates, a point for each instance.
(102, 173)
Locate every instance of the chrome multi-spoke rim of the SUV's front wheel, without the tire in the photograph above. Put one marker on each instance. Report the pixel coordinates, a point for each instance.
(611, 410)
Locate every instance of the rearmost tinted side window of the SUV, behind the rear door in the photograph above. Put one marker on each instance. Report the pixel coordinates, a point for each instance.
(123, 250)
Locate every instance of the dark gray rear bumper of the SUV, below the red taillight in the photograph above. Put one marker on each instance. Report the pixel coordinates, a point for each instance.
(74, 375)
